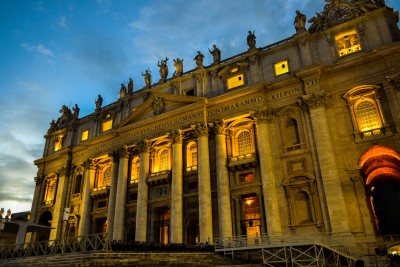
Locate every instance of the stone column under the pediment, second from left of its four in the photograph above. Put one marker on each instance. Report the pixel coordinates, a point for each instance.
(143, 194)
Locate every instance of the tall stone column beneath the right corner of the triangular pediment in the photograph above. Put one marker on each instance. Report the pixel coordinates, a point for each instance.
(205, 212)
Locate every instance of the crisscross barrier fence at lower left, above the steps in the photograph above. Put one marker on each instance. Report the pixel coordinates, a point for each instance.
(77, 244)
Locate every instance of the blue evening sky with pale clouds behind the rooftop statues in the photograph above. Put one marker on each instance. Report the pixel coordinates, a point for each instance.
(55, 53)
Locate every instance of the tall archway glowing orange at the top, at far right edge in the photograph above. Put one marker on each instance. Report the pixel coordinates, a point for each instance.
(381, 170)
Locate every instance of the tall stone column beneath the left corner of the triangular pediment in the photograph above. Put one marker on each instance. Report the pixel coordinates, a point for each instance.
(119, 216)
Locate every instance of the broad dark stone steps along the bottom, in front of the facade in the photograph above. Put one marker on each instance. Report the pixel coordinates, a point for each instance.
(130, 259)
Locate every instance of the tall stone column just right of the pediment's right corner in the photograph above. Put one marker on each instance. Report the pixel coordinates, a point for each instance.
(224, 195)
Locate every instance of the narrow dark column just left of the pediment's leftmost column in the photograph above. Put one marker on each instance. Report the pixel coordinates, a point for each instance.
(113, 194)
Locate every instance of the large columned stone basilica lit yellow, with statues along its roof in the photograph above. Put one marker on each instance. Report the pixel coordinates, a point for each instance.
(299, 137)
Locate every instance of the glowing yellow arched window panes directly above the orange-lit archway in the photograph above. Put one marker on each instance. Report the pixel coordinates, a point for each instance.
(367, 115)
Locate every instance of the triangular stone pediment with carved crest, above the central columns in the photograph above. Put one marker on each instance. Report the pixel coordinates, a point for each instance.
(158, 104)
